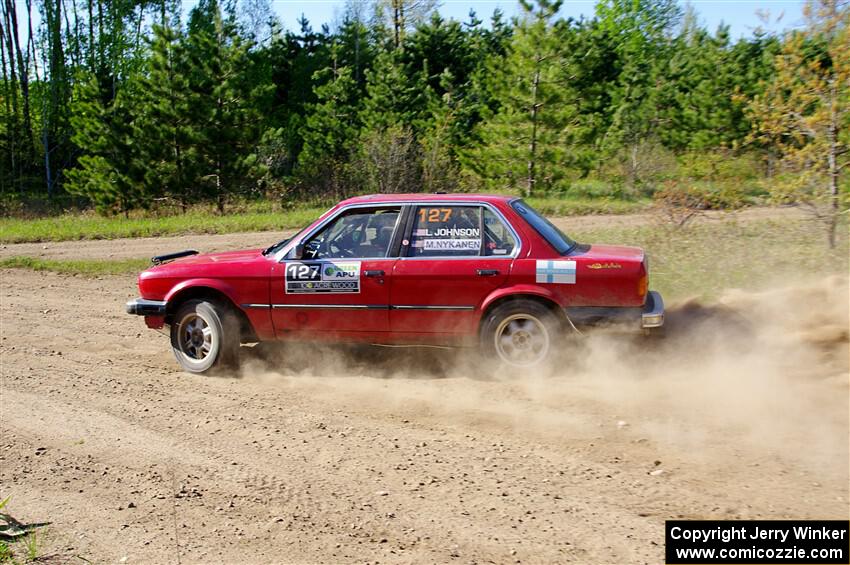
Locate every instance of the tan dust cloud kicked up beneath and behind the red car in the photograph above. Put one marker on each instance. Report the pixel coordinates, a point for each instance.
(754, 375)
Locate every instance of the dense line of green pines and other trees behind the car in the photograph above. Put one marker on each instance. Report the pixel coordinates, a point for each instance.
(124, 105)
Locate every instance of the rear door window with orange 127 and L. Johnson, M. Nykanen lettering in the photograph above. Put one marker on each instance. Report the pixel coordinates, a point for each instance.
(446, 231)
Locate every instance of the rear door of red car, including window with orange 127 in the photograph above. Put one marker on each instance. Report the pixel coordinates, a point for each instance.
(452, 257)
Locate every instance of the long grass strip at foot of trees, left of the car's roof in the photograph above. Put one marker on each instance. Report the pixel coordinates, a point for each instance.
(91, 226)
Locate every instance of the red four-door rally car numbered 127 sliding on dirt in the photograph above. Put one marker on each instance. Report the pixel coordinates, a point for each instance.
(438, 269)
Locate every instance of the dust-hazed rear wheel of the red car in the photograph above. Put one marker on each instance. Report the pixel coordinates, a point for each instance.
(520, 333)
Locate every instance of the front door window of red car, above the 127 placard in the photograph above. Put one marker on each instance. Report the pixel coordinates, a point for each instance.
(359, 233)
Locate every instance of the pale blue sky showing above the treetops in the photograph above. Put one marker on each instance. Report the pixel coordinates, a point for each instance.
(740, 15)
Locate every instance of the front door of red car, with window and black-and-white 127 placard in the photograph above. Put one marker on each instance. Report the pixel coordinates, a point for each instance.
(341, 285)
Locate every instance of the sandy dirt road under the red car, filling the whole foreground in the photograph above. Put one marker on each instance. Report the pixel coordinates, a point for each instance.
(397, 455)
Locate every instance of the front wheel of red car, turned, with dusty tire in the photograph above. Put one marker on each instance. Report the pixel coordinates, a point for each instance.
(198, 350)
